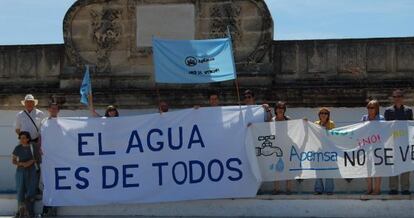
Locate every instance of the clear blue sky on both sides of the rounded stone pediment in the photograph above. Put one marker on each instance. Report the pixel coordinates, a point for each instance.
(40, 21)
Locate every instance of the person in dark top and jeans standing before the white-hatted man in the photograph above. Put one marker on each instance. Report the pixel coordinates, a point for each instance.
(24, 157)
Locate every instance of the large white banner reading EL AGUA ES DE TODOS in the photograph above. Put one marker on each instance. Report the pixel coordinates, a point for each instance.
(183, 155)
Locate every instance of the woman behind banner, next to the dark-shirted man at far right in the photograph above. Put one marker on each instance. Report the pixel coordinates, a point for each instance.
(373, 114)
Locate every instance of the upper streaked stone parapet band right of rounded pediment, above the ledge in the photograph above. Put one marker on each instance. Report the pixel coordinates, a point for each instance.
(351, 59)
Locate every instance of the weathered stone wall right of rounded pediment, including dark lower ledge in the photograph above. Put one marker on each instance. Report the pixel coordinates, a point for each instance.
(342, 72)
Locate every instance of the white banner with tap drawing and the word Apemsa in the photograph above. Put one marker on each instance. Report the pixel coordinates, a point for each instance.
(300, 149)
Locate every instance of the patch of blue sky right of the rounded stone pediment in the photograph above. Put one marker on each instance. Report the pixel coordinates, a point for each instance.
(321, 19)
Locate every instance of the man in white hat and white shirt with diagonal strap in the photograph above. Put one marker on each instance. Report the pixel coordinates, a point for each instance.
(30, 118)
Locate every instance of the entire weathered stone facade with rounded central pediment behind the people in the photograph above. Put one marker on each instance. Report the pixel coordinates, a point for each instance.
(114, 38)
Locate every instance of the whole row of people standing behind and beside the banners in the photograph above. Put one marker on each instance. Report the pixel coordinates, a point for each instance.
(27, 155)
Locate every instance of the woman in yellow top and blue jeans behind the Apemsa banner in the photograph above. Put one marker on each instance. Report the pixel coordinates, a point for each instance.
(326, 122)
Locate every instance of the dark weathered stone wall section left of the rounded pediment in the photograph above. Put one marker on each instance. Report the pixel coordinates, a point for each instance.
(29, 69)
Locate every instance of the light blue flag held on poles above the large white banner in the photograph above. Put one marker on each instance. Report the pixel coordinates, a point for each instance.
(193, 61)
